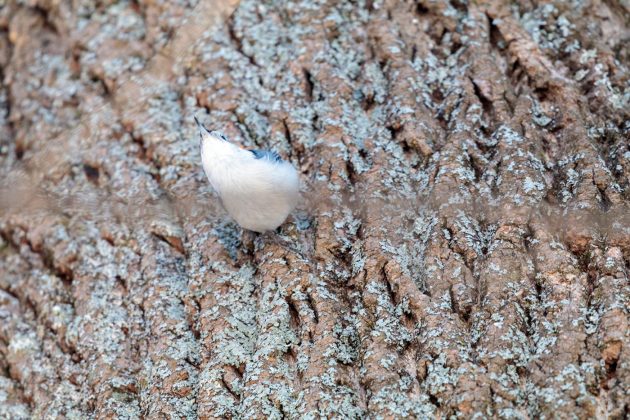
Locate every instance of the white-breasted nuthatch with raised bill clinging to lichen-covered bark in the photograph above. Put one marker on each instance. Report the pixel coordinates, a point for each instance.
(257, 188)
